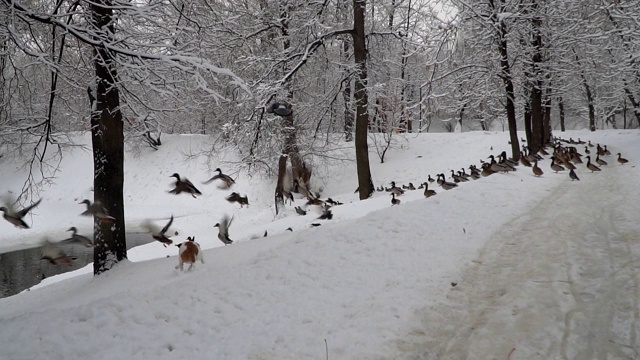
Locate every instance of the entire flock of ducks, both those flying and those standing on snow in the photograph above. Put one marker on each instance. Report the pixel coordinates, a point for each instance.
(565, 156)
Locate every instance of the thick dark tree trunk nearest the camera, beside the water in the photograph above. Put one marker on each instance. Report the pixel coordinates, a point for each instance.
(108, 147)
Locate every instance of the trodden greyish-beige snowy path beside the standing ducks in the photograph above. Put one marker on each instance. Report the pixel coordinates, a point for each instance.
(560, 282)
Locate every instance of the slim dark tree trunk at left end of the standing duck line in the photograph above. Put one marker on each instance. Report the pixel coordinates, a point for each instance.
(365, 185)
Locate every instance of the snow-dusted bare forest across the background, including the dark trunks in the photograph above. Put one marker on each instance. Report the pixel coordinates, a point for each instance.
(129, 70)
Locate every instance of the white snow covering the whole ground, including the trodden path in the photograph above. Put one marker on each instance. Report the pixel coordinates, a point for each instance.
(544, 267)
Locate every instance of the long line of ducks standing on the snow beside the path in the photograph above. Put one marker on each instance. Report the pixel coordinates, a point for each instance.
(565, 156)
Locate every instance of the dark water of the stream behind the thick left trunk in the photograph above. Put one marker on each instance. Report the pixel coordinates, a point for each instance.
(23, 269)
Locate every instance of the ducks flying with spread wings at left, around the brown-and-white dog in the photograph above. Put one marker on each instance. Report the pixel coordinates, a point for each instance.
(52, 252)
